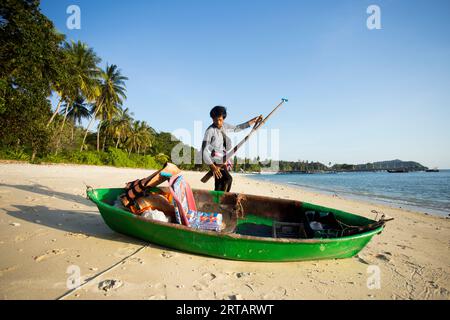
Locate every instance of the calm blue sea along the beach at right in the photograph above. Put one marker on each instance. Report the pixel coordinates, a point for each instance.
(420, 191)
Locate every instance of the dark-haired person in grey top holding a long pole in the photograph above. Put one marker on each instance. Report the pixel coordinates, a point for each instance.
(216, 144)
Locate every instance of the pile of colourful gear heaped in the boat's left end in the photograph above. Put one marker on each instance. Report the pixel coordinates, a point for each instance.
(178, 204)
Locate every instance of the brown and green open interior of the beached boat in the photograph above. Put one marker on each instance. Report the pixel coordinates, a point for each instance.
(252, 215)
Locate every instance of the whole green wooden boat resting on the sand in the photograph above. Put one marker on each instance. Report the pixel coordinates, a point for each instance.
(258, 228)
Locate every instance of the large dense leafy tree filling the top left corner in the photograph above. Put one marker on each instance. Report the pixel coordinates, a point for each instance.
(31, 61)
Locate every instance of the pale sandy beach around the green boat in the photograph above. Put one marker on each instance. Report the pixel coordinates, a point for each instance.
(47, 225)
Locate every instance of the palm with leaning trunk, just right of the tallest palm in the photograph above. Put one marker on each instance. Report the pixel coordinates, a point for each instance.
(110, 95)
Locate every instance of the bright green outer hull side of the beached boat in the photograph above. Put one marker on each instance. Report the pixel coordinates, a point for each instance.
(224, 245)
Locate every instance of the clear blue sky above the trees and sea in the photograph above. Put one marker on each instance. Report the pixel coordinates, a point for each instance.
(355, 95)
